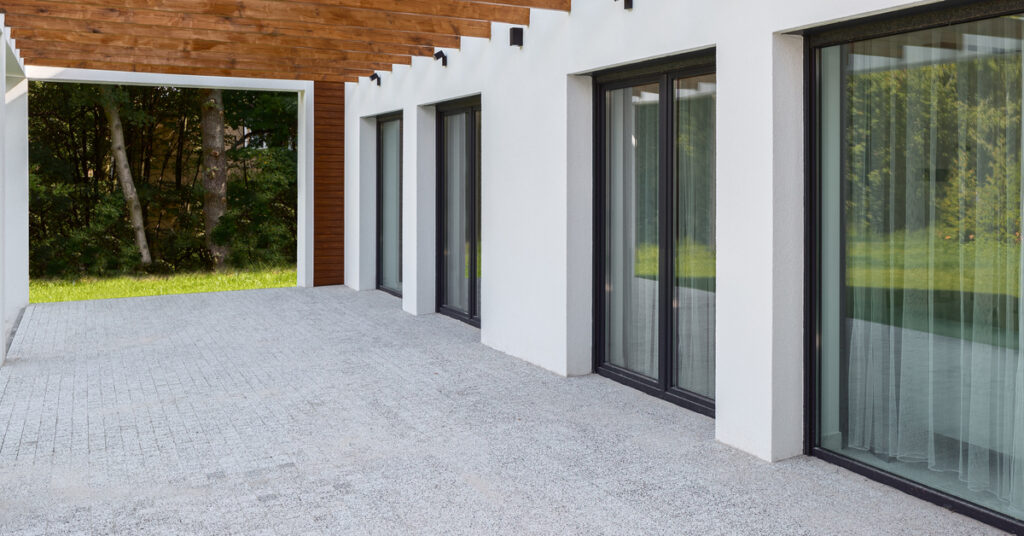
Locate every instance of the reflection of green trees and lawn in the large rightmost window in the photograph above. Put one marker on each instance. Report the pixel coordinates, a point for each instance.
(933, 176)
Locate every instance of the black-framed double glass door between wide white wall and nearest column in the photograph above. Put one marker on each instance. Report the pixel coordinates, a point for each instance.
(656, 222)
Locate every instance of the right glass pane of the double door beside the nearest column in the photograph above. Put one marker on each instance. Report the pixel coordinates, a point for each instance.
(695, 235)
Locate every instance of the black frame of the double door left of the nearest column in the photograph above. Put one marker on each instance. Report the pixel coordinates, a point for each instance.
(664, 73)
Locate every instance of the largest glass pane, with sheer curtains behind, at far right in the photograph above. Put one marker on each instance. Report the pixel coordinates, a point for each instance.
(921, 168)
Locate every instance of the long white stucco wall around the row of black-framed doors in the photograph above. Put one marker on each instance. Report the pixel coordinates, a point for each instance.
(537, 193)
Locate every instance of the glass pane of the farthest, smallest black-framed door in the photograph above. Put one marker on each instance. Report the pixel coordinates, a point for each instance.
(391, 257)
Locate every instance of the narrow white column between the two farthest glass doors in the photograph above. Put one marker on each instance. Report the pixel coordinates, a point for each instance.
(419, 211)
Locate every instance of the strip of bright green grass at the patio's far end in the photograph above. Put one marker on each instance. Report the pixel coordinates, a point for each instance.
(48, 291)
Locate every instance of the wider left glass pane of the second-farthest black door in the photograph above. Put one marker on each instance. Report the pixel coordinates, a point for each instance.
(457, 226)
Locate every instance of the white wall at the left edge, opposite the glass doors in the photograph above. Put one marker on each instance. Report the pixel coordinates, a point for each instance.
(14, 188)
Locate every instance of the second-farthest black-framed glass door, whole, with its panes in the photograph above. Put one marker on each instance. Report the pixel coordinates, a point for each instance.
(459, 211)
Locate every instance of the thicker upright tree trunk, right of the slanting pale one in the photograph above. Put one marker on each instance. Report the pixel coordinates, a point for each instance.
(215, 171)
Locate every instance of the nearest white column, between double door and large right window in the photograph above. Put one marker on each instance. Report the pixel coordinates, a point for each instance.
(760, 378)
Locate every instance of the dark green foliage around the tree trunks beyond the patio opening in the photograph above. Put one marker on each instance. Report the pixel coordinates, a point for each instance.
(79, 222)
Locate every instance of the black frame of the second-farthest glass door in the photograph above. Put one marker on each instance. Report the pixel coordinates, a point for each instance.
(471, 107)
